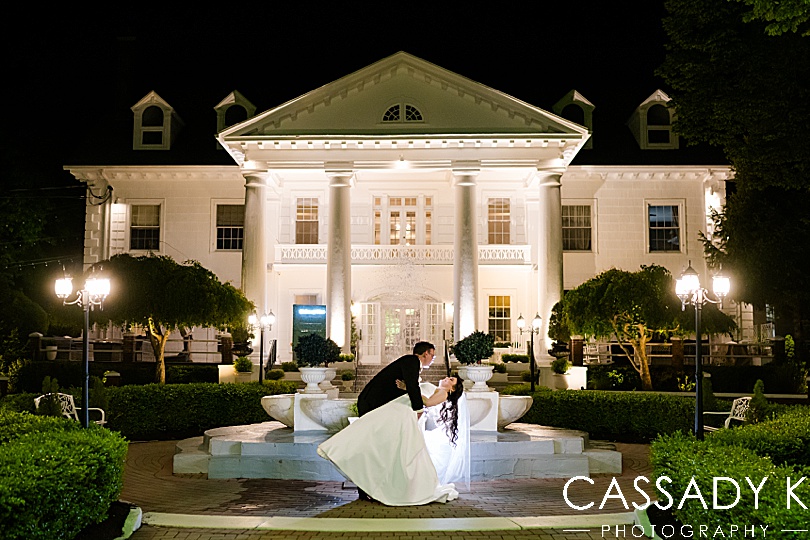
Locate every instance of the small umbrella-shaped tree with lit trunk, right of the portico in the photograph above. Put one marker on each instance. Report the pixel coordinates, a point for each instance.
(631, 307)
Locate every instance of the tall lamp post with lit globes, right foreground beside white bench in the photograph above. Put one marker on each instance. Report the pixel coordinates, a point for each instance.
(690, 292)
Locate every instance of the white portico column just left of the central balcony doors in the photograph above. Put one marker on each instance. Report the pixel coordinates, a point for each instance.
(338, 260)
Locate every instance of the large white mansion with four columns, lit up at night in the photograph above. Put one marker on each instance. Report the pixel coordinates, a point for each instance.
(412, 198)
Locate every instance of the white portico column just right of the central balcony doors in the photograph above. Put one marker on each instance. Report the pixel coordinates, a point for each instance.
(465, 257)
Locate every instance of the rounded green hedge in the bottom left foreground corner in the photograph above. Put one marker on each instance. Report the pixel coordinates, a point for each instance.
(56, 478)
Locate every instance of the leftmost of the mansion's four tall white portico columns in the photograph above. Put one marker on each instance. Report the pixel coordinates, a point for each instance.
(254, 246)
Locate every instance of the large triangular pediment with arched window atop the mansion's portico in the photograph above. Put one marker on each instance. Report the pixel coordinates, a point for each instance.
(403, 95)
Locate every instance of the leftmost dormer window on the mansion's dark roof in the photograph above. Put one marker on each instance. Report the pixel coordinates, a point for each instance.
(155, 124)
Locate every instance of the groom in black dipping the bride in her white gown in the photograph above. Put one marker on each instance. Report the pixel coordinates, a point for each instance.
(397, 454)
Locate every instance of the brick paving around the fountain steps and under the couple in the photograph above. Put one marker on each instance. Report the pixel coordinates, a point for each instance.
(149, 483)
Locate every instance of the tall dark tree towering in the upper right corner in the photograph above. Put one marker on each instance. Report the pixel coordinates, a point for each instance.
(737, 86)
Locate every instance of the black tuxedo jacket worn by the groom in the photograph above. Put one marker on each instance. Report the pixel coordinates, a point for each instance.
(383, 387)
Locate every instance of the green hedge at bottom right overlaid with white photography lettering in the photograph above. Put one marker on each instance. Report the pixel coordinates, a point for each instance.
(682, 458)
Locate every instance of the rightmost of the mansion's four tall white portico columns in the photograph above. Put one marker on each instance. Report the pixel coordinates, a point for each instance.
(549, 253)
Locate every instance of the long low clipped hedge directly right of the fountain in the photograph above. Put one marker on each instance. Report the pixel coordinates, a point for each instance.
(616, 416)
